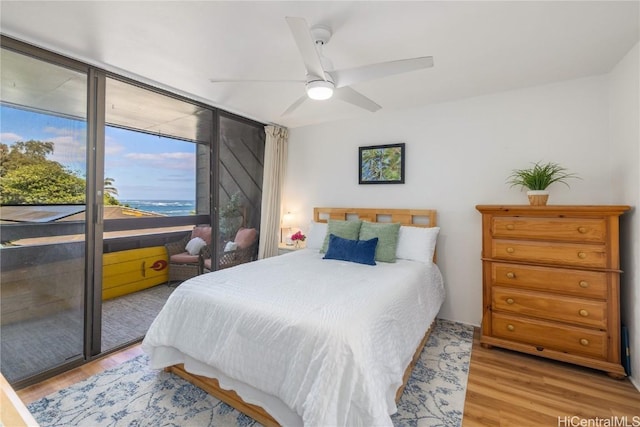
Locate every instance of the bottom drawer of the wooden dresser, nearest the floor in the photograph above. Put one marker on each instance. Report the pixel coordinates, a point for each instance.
(550, 335)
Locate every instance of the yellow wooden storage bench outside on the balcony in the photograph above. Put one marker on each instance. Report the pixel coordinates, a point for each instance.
(125, 272)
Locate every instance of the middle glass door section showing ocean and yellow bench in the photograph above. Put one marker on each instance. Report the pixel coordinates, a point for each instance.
(157, 168)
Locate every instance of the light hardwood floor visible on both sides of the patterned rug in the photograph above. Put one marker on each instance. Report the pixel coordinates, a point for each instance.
(504, 389)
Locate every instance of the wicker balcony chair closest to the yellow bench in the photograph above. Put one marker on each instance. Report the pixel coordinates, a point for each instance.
(183, 265)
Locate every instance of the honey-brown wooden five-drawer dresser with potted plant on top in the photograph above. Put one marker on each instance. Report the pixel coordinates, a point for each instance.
(551, 281)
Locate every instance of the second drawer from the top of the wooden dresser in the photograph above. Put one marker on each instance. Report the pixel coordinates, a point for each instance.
(580, 255)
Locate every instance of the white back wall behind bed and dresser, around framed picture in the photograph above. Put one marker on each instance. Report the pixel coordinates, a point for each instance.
(459, 155)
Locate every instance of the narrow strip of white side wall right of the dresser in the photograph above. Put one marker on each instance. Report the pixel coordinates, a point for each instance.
(624, 137)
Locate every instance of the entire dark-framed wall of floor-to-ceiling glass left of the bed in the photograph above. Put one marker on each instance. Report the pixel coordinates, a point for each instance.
(97, 172)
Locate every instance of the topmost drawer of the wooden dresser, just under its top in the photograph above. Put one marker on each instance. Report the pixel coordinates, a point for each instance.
(588, 230)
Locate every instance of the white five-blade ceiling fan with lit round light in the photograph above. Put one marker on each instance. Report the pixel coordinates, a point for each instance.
(322, 82)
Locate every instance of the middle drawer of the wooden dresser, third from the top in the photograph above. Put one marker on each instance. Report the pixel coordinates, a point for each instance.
(588, 284)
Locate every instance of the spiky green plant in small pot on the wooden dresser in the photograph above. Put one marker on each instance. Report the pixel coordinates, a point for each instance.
(537, 178)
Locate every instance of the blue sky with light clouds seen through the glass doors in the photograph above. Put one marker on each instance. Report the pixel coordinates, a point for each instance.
(144, 167)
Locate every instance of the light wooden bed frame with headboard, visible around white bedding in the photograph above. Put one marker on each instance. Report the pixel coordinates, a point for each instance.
(409, 217)
